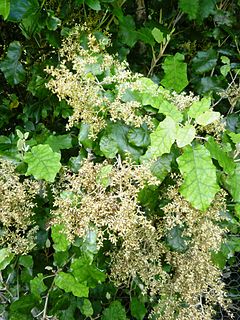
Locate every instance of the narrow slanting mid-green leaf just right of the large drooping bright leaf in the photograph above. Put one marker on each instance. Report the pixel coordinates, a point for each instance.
(218, 154)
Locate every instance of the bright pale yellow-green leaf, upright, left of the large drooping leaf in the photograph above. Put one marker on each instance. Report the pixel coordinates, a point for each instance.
(163, 137)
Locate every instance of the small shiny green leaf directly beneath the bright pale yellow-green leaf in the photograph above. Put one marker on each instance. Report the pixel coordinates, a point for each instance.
(162, 166)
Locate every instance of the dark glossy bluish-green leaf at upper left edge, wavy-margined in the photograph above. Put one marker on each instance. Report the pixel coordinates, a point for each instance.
(11, 67)
